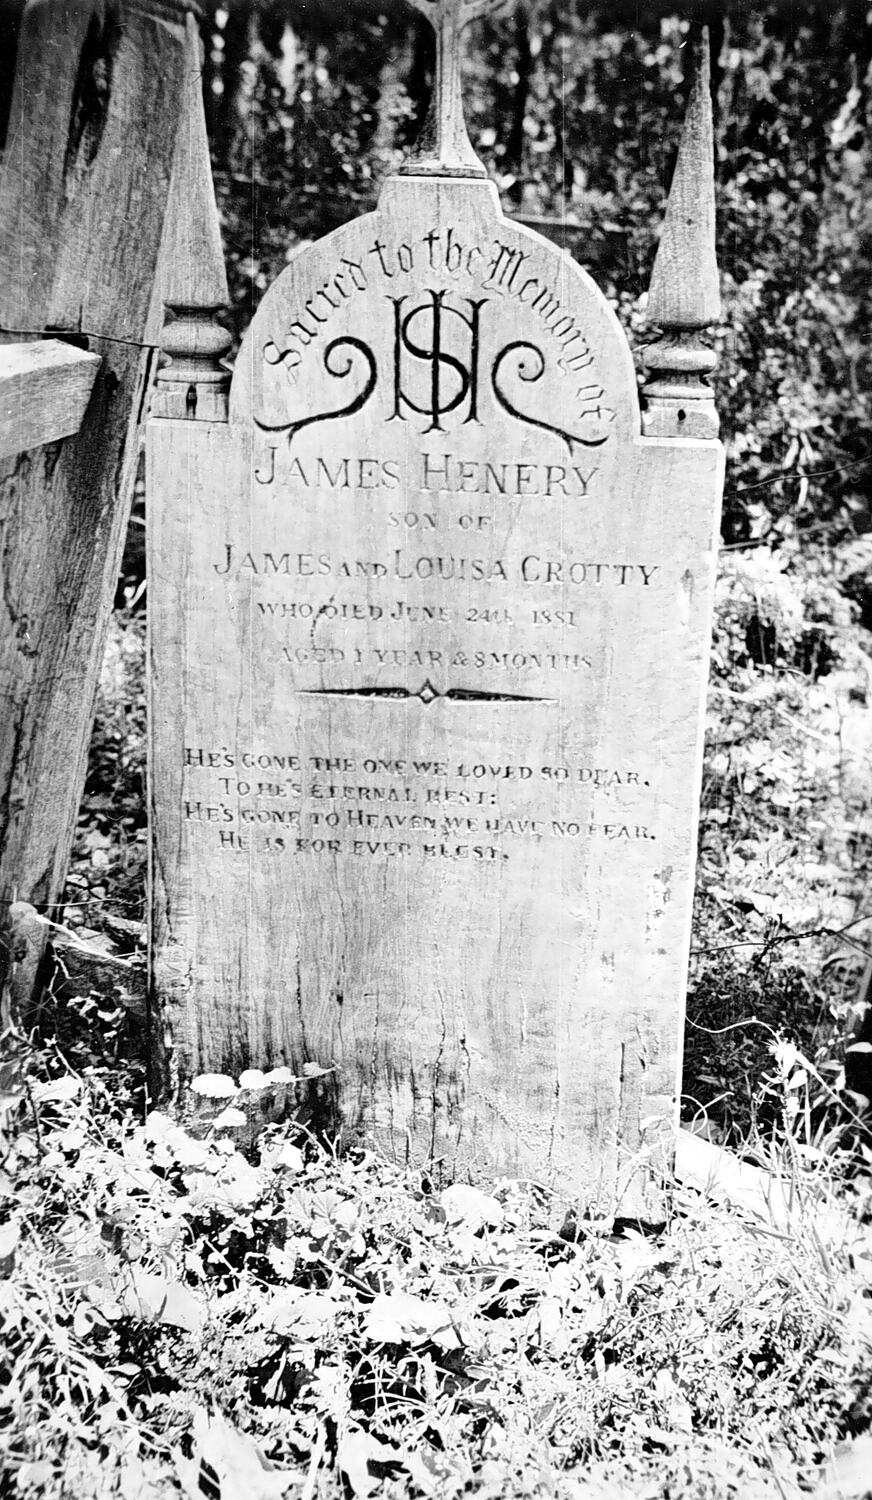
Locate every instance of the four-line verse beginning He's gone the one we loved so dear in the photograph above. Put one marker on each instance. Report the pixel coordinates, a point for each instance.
(320, 805)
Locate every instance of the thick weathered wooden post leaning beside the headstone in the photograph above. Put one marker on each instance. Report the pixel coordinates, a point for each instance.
(83, 197)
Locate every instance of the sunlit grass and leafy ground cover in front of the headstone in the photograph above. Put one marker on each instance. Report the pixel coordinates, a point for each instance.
(182, 1318)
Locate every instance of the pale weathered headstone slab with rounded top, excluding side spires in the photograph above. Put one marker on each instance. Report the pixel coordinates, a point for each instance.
(430, 634)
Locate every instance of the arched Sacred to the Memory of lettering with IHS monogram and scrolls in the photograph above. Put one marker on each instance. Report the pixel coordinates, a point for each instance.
(439, 337)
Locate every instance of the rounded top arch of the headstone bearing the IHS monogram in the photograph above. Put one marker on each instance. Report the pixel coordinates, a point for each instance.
(438, 322)
